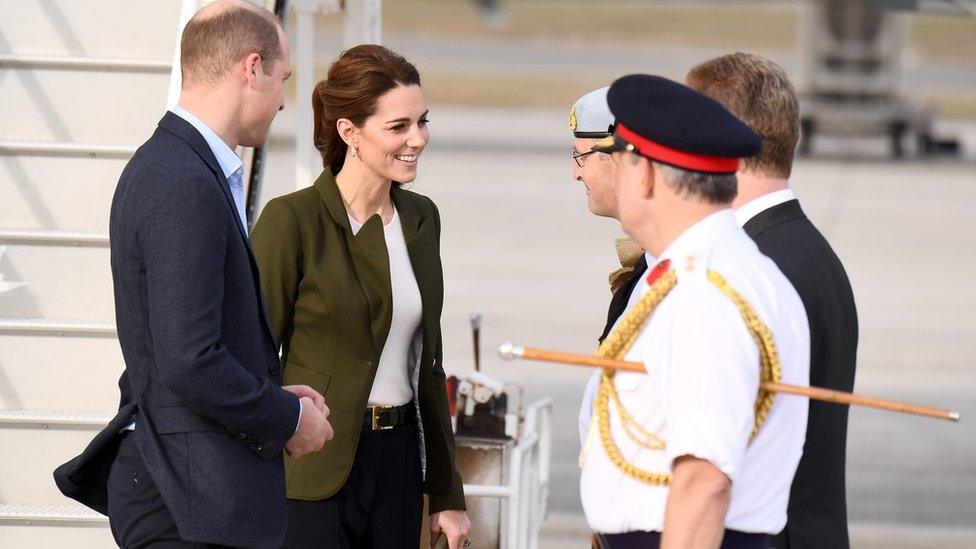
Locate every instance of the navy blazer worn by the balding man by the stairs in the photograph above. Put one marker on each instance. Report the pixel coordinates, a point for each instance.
(201, 363)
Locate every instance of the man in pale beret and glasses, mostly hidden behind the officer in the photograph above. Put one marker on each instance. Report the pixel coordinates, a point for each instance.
(590, 120)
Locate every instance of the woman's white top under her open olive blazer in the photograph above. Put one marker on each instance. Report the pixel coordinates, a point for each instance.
(391, 386)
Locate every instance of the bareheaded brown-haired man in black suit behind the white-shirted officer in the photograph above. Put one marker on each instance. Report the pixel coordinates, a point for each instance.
(757, 91)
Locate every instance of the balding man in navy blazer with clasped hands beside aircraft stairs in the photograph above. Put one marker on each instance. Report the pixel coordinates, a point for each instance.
(204, 419)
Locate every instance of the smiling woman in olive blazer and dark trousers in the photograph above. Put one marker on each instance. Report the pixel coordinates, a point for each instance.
(328, 292)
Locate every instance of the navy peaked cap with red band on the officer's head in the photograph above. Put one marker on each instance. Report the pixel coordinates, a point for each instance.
(673, 124)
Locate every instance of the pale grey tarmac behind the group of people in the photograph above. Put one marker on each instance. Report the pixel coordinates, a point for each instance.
(520, 247)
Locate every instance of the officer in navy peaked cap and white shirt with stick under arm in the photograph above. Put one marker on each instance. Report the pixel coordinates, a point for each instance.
(691, 453)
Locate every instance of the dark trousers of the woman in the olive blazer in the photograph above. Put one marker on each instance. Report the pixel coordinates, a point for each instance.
(379, 506)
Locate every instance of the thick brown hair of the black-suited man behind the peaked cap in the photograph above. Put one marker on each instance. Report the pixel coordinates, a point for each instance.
(757, 91)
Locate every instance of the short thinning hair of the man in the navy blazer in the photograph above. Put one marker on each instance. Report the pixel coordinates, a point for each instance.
(216, 39)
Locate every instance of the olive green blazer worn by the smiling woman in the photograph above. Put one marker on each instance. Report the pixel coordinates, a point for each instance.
(330, 302)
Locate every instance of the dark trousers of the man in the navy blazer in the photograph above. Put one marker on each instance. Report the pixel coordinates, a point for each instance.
(137, 515)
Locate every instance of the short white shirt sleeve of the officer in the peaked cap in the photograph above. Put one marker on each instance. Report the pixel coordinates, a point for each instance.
(712, 376)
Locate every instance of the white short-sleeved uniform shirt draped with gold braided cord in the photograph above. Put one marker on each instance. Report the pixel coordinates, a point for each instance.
(700, 393)
